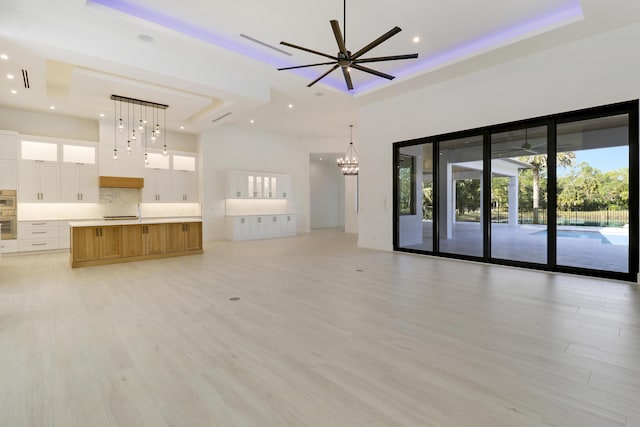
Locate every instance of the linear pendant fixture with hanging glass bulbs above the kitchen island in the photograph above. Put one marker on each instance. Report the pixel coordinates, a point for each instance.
(142, 129)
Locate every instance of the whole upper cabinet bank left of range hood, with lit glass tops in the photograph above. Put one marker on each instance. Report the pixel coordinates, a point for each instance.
(57, 172)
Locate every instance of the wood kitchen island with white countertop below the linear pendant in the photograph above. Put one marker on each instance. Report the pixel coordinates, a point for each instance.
(107, 242)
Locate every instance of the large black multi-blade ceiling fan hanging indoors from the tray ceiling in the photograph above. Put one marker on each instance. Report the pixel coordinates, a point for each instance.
(347, 60)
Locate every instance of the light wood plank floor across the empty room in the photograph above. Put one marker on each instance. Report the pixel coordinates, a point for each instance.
(323, 334)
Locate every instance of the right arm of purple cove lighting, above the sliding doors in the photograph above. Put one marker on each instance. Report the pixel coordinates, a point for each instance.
(570, 13)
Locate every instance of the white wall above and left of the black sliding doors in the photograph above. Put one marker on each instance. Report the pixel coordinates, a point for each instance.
(594, 71)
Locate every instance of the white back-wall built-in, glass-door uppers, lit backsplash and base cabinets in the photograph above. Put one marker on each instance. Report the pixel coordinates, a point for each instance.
(257, 206)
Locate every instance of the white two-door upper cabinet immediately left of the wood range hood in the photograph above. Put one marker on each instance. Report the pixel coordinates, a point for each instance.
(79, 183)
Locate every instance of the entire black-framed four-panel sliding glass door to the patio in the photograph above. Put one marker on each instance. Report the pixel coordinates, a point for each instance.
(557, 193)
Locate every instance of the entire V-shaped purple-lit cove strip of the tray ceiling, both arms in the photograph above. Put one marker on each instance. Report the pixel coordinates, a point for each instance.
(562, 16)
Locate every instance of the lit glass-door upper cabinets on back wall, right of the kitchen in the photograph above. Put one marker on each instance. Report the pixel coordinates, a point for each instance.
(256, 185)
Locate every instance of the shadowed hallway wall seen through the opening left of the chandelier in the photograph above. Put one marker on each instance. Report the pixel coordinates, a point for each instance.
(327, 197)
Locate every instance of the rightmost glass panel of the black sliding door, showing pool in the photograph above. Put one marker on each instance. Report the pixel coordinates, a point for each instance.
(592, 166)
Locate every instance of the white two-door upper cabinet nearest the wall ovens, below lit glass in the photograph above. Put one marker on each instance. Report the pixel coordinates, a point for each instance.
(38, 181)
